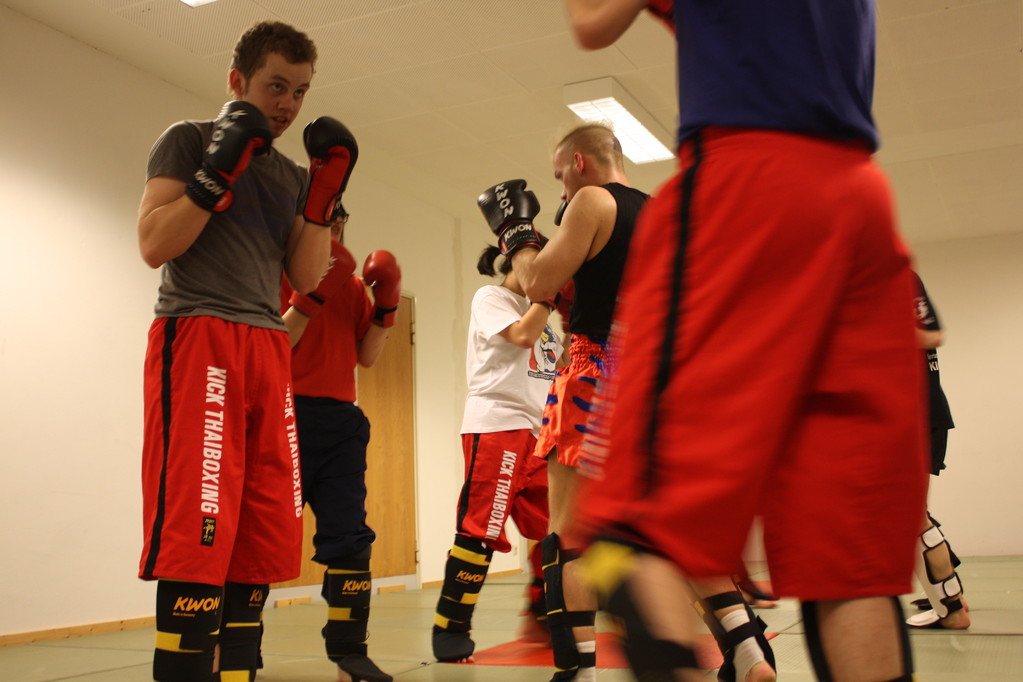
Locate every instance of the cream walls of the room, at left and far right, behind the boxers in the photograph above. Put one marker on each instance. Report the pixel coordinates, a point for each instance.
(76, 130)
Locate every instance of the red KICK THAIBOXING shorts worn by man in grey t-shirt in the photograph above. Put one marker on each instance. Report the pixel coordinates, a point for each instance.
(221, 482)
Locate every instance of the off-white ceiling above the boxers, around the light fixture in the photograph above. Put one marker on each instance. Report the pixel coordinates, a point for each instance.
(460, 95)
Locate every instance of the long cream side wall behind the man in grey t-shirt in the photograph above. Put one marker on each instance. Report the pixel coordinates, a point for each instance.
(75, 140)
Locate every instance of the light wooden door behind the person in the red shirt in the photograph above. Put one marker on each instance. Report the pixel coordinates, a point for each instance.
(387, 397)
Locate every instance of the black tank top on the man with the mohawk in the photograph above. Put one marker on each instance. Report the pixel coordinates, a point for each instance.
(597, 282)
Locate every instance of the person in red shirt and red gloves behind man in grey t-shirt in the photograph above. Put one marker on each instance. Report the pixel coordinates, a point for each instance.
(334, 329)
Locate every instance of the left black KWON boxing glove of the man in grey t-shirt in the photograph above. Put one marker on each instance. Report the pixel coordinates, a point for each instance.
(239, 133)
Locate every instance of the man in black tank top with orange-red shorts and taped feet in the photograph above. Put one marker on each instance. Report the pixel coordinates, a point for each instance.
(590, 249)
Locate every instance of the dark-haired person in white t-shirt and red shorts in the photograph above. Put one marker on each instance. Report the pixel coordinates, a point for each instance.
(510, 365)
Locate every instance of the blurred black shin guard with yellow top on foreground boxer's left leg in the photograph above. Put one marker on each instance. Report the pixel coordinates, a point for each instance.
(652, 660)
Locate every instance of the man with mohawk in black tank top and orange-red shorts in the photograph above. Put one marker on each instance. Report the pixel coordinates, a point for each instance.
(590, 249)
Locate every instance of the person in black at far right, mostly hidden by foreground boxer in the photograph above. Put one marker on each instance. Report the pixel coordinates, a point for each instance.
(938, 564)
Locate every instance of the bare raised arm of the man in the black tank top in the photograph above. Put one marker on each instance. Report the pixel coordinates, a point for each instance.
(586, 230)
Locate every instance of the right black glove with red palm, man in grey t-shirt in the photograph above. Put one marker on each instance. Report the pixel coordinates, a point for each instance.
(333, 153)
